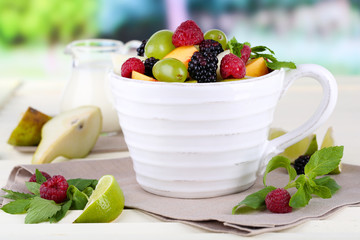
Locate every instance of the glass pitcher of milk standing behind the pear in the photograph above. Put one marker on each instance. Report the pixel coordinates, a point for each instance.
(88, 84)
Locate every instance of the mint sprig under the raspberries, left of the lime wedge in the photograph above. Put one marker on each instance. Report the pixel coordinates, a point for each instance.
(41, 210)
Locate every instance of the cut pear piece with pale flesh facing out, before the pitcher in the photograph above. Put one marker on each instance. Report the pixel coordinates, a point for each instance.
(71, 134)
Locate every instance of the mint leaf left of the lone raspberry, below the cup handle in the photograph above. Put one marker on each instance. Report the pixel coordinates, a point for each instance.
(255, 200)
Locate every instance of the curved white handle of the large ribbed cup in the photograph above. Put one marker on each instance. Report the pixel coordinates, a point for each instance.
(322, 113)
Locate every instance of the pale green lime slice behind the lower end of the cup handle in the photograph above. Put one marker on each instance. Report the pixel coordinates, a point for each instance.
(295, 150)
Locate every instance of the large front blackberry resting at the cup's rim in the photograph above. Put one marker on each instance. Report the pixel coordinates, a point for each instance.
(202, 67)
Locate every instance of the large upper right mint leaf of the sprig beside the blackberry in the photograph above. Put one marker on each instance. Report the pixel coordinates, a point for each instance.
(323, 161)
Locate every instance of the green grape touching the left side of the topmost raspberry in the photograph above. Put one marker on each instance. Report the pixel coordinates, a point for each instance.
(159, 44)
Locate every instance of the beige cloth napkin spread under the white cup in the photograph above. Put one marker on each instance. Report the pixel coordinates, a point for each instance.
(213, 214)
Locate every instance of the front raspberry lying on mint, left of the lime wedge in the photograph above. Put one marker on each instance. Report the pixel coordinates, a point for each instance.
(54, 189)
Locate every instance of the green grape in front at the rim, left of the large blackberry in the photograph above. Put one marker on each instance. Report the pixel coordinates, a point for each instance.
(170, 70)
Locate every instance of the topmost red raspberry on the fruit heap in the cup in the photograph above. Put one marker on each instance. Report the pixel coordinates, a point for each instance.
(188, 33)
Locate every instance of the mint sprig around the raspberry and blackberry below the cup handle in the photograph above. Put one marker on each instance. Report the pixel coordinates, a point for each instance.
(312, 182)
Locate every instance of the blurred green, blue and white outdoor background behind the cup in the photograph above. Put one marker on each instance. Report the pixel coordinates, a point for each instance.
(34, 33)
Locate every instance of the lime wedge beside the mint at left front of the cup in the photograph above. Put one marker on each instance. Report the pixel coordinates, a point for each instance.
(105, 203)
